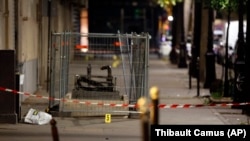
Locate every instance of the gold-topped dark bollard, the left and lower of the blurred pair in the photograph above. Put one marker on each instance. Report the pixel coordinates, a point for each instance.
(144, 115)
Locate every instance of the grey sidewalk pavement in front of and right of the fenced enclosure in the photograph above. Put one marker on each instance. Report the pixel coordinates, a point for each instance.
(173, 84)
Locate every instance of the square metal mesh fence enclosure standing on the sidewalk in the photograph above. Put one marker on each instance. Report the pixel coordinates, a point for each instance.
(93, 77)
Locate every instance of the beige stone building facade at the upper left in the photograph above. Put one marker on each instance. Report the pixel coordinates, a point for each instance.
(25, 26)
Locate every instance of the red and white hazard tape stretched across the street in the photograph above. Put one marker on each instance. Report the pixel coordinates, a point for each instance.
(160, 106)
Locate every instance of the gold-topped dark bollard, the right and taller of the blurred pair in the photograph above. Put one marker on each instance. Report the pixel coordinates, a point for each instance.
(154, 111)
